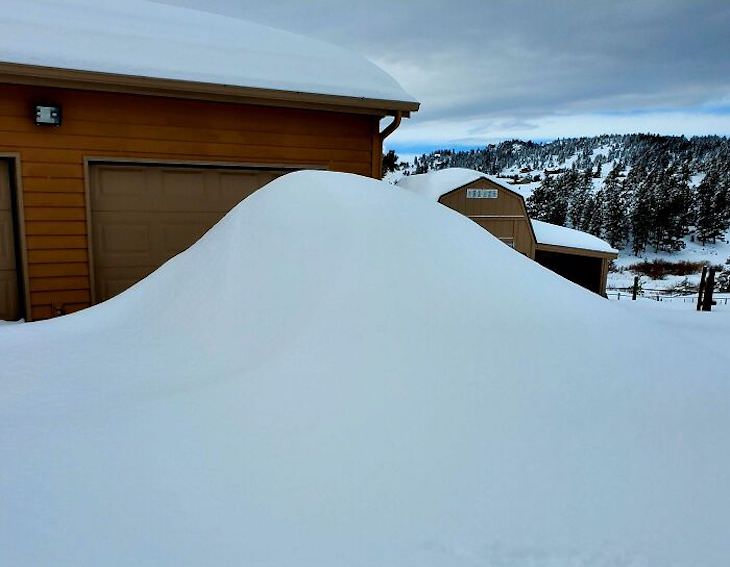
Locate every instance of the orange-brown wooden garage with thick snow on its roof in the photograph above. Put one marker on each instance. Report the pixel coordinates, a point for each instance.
(127, 131)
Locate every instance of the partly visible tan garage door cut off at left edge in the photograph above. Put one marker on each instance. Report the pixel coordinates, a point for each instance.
(9, 296)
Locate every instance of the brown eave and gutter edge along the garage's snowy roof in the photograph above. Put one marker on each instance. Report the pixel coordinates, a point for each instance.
(18, 73)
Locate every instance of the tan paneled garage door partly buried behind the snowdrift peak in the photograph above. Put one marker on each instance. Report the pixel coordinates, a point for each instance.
(143, 215)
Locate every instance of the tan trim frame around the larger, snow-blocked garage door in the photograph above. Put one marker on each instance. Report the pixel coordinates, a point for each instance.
(90, 161)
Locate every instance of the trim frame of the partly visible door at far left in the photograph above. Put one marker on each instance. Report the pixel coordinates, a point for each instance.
(15, 179)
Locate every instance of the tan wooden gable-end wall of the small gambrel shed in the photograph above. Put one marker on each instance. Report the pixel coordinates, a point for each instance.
(505, 217)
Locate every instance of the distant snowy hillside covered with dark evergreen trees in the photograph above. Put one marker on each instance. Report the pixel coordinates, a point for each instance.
(638, 191)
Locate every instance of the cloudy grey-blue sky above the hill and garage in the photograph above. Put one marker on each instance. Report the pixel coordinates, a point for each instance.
(488, 70)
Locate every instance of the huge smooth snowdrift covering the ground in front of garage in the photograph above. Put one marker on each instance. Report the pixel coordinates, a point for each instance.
(342, 374)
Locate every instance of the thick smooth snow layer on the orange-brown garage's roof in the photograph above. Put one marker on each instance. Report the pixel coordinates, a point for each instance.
(149, 39)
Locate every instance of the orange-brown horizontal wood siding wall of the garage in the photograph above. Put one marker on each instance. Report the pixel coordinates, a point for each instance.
(152, 128)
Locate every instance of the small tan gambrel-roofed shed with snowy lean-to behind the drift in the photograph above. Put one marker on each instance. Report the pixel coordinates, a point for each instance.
(577, 256)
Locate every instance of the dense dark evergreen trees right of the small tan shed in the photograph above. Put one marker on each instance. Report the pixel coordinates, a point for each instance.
(648, 207)
